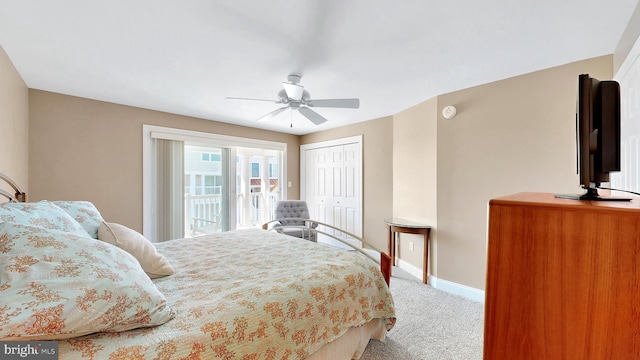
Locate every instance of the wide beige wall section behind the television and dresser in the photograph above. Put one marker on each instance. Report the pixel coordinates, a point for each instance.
(509, 136)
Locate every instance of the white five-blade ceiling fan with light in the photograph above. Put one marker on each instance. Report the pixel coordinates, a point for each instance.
(295, 97)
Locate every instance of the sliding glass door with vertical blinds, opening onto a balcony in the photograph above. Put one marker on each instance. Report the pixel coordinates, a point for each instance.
(200, 183)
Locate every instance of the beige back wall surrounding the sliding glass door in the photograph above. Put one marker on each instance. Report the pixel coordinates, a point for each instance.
(81, 149)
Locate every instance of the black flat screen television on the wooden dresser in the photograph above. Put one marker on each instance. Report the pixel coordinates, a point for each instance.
(597, 135)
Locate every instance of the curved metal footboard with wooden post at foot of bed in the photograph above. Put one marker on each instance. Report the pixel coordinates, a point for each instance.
(310, 227)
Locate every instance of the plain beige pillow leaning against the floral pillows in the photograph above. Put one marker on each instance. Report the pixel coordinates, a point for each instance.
(154, 264)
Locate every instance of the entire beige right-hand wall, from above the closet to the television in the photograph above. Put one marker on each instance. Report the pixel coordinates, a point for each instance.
(513, 135)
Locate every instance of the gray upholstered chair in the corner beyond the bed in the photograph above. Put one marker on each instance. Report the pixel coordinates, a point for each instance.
(287, 209)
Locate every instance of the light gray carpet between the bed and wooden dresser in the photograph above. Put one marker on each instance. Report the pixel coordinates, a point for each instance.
(431, 324)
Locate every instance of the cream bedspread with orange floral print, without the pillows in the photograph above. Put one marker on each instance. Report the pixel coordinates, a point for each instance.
(250, 294)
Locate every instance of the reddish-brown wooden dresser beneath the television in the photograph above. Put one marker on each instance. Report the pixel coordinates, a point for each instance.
(563, 279)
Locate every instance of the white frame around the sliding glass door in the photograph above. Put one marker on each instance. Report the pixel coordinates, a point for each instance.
(217, 140)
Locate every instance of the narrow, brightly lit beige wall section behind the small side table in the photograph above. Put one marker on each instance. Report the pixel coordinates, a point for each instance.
(415, 178)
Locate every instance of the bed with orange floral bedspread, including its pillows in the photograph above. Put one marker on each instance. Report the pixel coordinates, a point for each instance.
(245, 294)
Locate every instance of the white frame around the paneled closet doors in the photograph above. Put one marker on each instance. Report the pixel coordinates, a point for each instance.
(357, 139)
